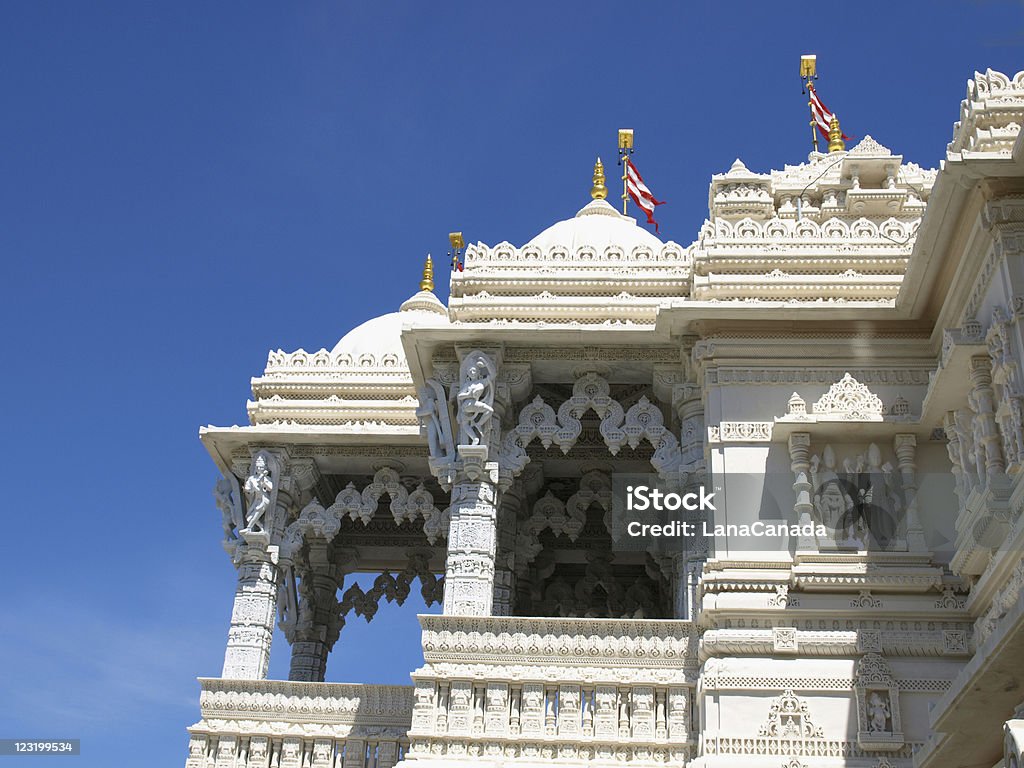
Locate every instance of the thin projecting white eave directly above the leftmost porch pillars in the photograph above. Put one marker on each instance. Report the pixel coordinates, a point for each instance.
(221, 443)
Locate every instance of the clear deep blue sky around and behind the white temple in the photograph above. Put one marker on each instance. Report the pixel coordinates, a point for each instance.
(187, 186)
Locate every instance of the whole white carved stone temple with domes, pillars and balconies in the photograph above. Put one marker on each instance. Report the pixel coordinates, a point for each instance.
(836, 360)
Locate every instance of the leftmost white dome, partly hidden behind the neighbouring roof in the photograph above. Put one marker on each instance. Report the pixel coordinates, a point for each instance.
(380, 338)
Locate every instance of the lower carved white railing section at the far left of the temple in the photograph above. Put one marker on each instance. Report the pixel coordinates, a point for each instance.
(279, 724)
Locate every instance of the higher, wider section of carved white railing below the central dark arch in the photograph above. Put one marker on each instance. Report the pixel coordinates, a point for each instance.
(583, 692)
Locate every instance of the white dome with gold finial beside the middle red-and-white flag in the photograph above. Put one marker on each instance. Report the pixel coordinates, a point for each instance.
(598, 226)
